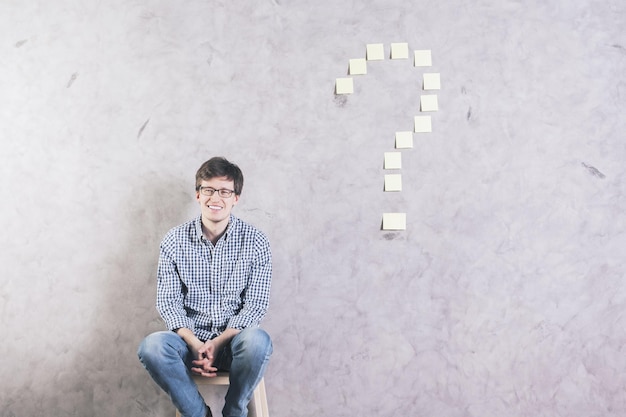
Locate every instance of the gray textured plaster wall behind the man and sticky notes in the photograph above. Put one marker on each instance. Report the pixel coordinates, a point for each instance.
(504, 296)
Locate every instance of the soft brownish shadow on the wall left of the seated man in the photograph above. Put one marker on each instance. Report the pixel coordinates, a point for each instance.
(106, 377)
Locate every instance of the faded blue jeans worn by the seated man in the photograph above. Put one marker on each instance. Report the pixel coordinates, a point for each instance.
(167, 358)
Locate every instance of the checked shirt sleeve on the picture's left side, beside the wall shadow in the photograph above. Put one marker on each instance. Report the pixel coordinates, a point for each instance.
(170, 288)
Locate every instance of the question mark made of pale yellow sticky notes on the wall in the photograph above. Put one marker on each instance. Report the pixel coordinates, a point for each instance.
(422, 123)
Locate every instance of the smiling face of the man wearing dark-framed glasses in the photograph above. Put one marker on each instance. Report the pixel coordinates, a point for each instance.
(216, 209)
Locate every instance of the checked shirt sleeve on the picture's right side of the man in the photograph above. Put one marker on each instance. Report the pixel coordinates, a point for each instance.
(257, 294)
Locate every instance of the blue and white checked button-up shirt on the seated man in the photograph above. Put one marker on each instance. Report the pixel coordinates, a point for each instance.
(208, 288)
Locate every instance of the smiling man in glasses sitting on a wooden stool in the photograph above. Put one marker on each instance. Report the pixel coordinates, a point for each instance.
(214, 277)
